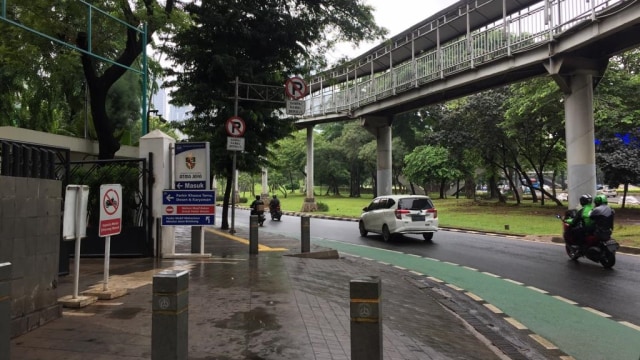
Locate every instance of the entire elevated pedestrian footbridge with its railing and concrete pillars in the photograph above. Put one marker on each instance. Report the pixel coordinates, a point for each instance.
(475, 45)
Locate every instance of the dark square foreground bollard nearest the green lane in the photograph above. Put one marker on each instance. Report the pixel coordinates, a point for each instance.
(366, 318)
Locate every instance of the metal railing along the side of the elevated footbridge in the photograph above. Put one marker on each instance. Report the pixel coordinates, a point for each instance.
(347, 88)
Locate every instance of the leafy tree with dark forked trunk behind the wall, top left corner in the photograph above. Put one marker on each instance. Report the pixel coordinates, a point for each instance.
(47, 93)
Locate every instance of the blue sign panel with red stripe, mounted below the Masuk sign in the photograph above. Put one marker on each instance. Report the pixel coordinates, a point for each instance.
(188, 207)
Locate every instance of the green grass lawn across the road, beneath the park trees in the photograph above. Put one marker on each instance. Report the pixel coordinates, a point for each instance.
(524, 219)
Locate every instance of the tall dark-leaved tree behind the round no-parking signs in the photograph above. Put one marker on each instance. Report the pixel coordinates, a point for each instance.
(253, 41)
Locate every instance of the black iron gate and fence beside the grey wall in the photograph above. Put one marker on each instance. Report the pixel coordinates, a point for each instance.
(23, 159)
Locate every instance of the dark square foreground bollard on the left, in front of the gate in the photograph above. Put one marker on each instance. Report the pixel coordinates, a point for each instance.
(170, 320)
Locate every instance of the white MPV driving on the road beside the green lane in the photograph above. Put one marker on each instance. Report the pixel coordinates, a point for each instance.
(400, 214)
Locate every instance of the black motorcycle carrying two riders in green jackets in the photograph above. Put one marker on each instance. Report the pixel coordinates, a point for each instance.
(603, 252)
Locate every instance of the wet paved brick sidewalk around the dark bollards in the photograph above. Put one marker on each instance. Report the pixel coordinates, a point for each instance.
(269, 306)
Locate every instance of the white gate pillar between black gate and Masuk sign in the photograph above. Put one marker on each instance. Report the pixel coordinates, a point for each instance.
(159, 144)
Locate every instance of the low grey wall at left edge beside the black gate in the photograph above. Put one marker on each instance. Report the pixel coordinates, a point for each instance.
(30, 211)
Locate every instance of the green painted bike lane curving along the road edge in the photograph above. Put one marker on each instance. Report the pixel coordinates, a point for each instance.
(581, 333)
